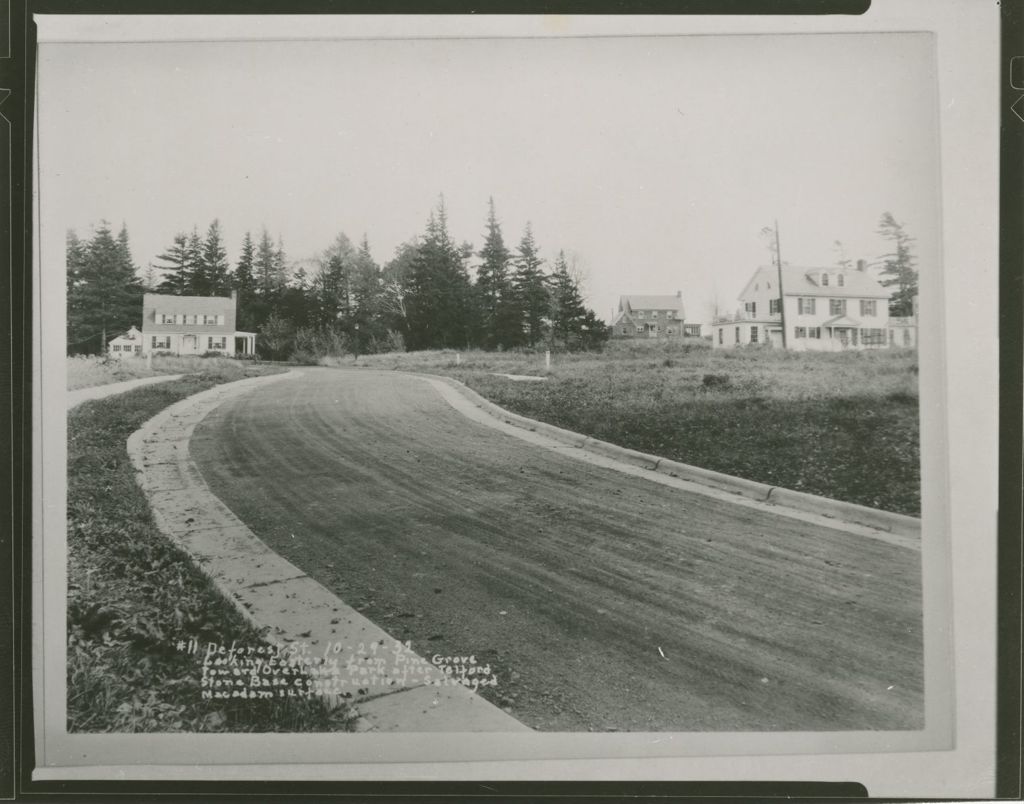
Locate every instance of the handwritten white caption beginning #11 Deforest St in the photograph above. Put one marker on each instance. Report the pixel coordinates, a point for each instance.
(335, 670)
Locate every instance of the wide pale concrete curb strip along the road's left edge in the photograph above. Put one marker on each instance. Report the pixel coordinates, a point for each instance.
(391, 688)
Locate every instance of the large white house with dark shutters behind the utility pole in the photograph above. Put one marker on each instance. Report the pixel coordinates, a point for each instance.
(827, 309)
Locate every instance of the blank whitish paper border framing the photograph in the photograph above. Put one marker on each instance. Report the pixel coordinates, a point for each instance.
(961, 501)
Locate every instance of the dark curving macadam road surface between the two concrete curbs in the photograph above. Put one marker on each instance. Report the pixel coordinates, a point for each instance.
(604, 602)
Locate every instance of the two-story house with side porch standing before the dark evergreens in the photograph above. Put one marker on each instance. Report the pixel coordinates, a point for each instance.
(193, 325)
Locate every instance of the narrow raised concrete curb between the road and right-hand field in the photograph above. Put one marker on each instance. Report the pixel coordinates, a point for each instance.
(836, 510)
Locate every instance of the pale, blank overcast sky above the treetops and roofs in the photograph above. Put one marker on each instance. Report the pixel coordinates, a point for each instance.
(654, 162)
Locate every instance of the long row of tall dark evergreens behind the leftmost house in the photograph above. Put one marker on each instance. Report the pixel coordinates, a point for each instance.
(434, 293)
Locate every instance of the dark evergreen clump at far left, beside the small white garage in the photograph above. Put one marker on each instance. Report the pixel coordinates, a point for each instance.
(106, 295)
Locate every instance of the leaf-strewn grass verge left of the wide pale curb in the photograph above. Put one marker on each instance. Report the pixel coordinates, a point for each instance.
(133, 595)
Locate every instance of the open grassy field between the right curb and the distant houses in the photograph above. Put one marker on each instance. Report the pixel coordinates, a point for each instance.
(844, 426)
